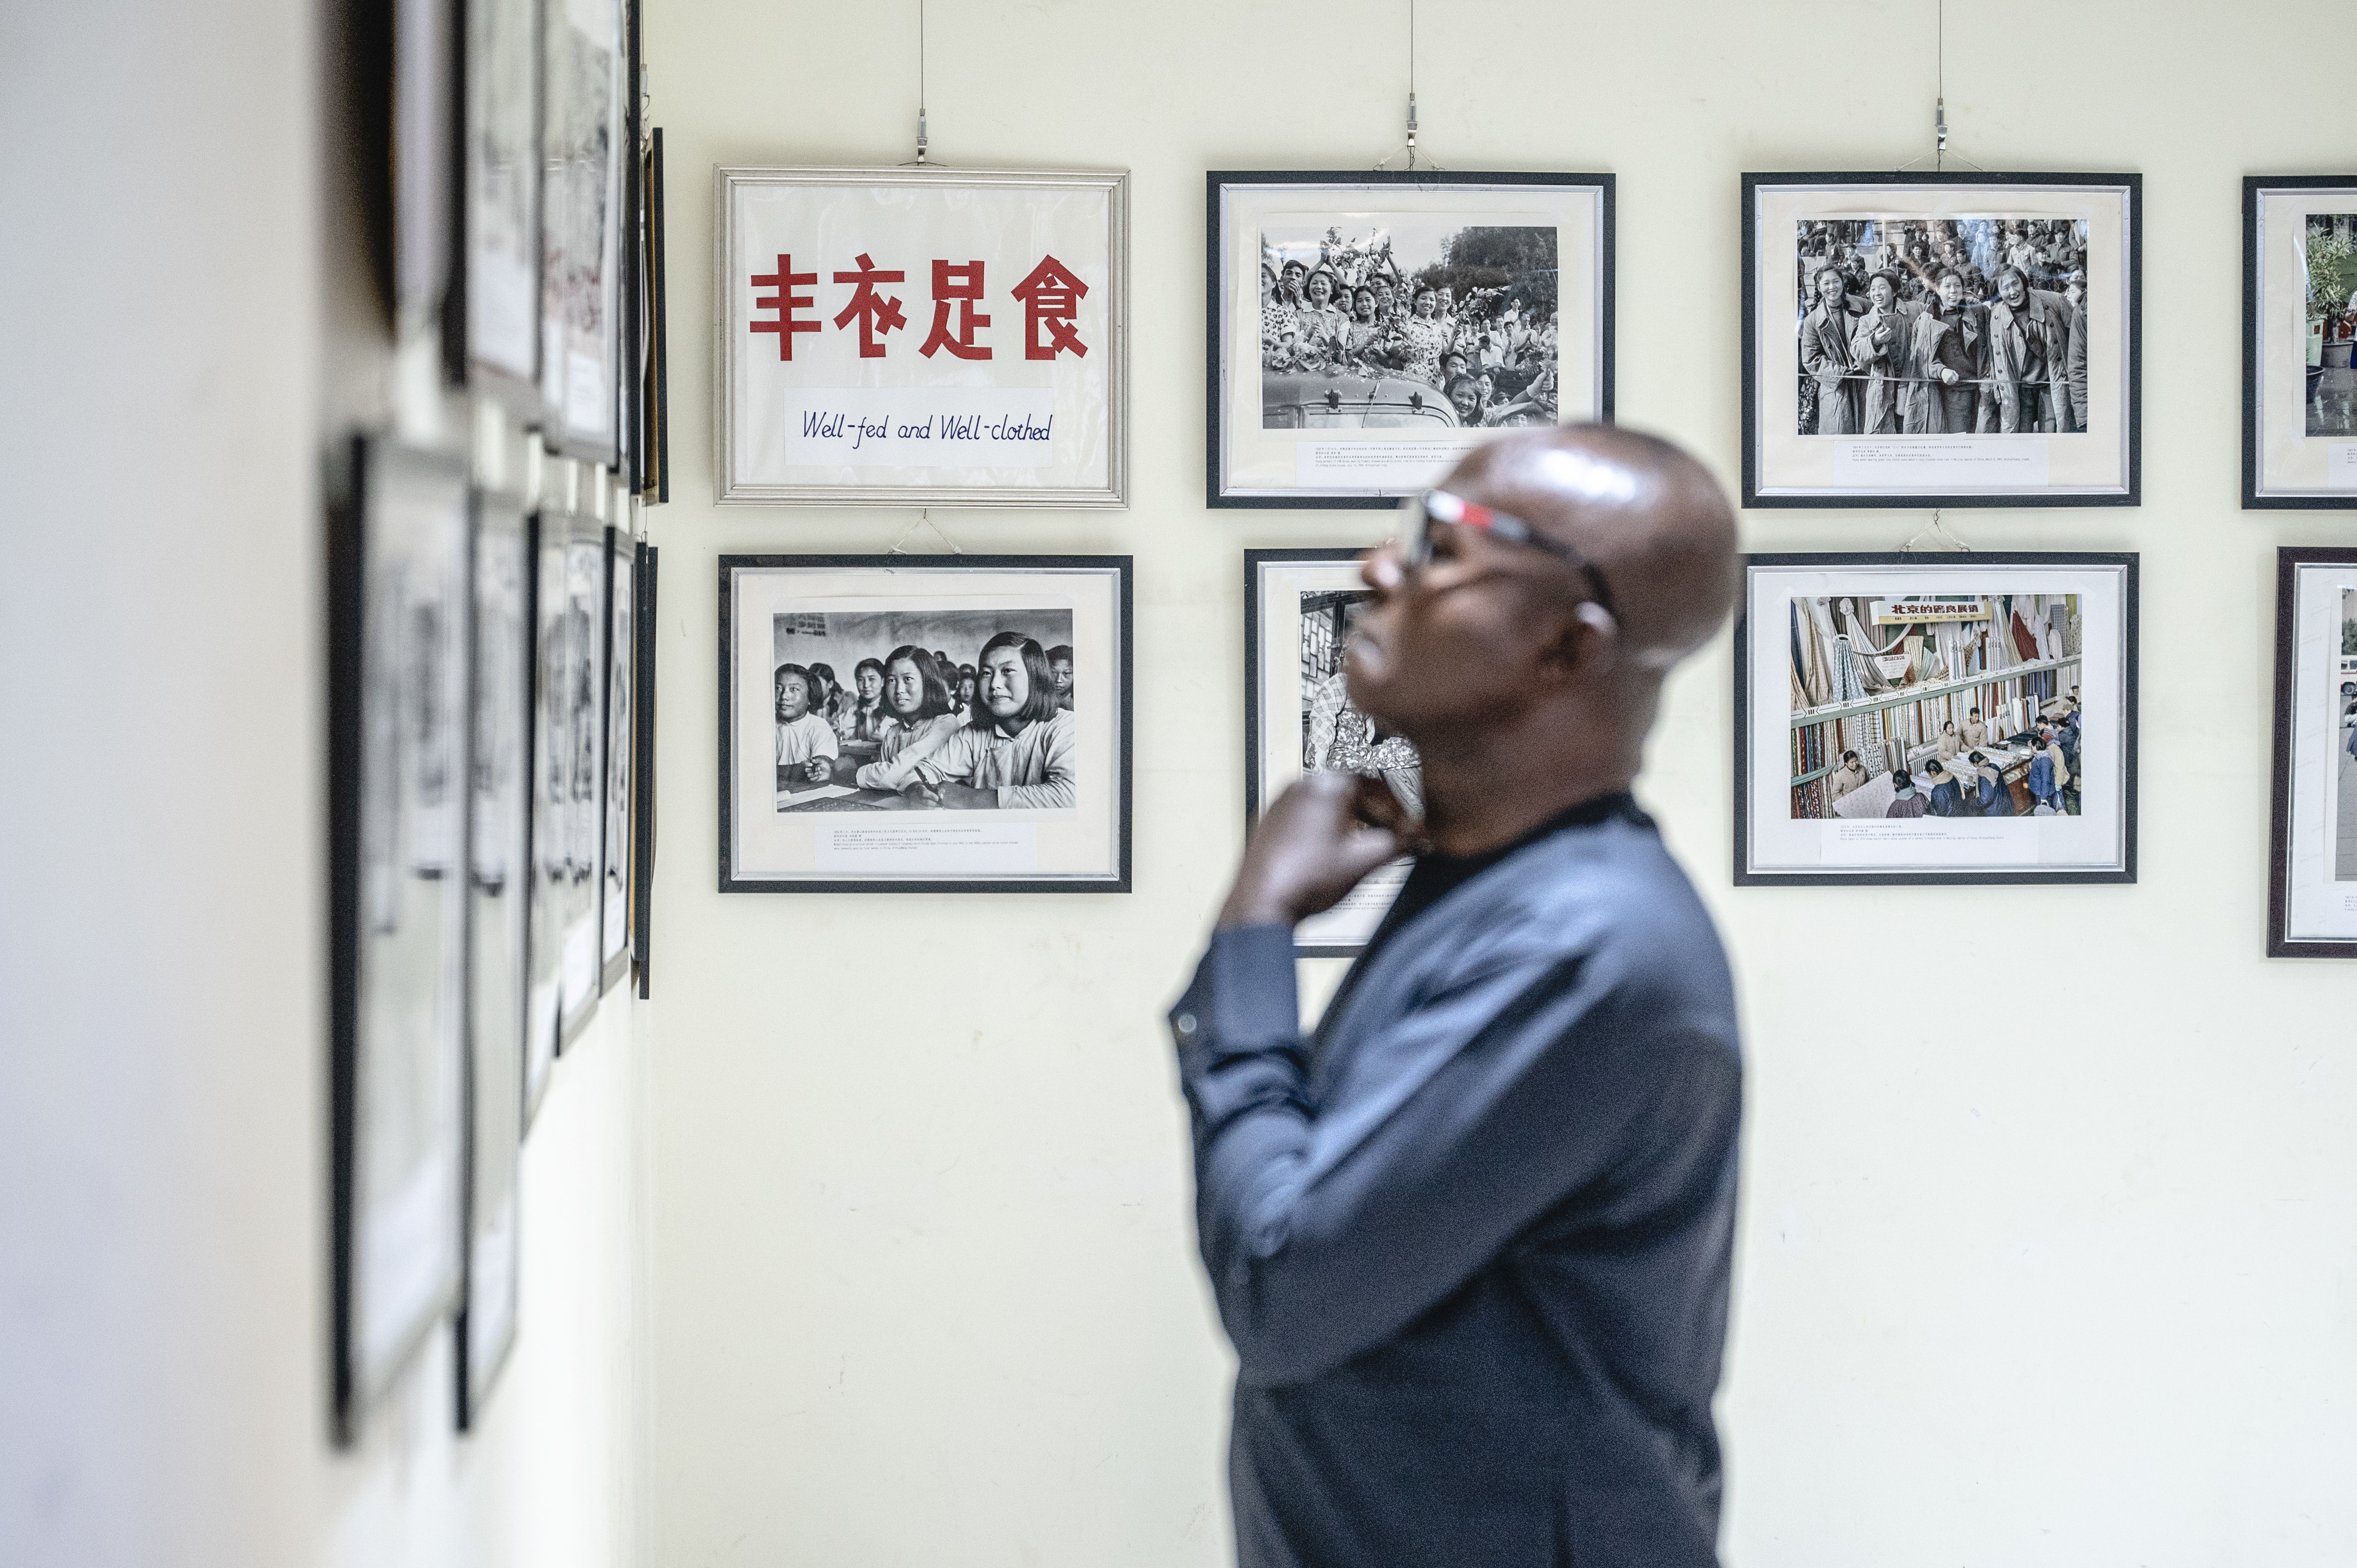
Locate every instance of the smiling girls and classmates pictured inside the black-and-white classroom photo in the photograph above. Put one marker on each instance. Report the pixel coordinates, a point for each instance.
(916, 727)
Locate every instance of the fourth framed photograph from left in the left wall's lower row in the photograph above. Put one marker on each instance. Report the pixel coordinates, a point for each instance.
(586, 767)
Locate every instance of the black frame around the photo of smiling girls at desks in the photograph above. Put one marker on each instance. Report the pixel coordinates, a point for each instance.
(1123, 635)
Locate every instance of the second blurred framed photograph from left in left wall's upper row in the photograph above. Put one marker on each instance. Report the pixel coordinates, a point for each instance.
(499, 46)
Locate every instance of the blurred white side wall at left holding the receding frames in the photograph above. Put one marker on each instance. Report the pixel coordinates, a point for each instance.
(187, 319)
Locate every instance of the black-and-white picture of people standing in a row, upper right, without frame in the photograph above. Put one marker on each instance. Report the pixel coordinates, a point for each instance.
(1943, 327)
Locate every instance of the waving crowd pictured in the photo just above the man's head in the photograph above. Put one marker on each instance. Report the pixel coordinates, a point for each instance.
(1477, 324)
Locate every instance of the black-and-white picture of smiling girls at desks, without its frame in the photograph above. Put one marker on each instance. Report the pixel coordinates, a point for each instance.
(925, 711)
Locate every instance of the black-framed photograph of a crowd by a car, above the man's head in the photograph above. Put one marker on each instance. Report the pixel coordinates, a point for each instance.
(1371, 329)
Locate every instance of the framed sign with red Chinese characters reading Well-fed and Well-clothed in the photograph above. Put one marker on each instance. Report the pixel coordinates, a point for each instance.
(923, 338)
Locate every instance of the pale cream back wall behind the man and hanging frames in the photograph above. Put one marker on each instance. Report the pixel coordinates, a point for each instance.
(2061, 1291)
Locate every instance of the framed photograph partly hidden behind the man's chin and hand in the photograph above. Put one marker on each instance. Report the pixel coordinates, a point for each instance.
(1300, 607)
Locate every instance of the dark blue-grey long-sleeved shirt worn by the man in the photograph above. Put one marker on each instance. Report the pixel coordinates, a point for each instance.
(1472, 1241)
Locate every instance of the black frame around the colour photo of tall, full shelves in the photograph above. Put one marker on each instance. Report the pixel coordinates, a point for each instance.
(1965, 562)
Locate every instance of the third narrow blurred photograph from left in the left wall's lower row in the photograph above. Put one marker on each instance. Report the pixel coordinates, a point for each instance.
(550, 805)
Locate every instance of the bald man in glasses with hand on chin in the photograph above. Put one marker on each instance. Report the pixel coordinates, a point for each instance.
(1472, 1237)
